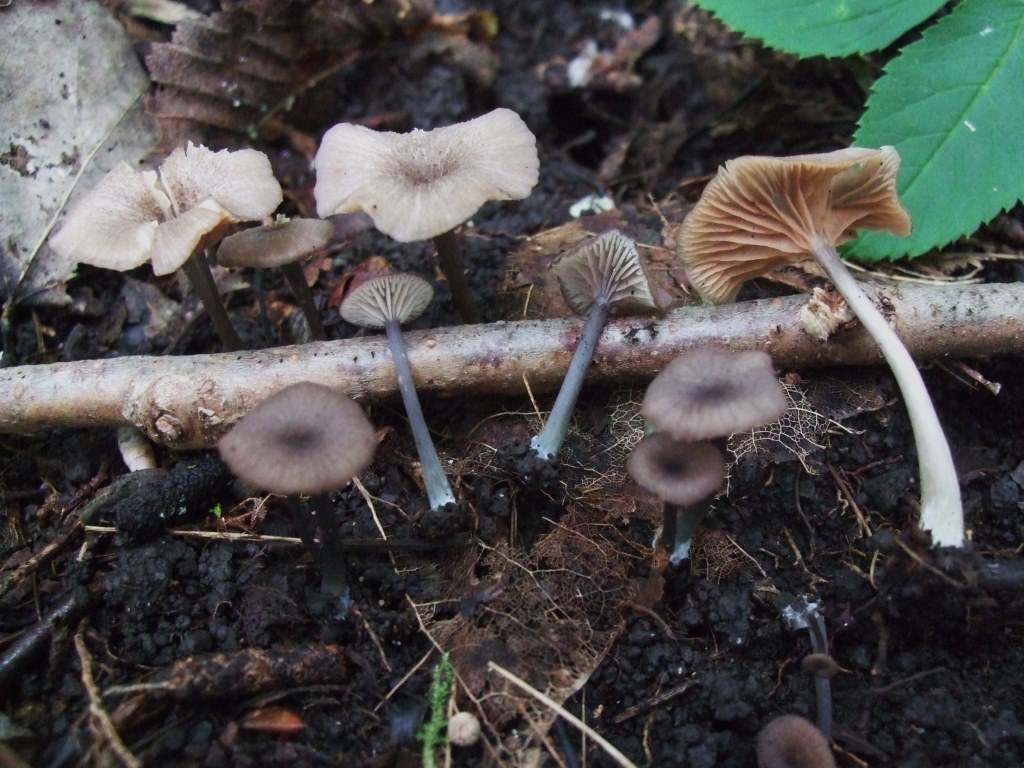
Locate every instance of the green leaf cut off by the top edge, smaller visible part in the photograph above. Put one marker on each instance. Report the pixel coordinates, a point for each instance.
(835, 28)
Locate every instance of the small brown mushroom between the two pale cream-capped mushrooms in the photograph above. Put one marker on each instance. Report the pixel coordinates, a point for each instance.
(284, 244)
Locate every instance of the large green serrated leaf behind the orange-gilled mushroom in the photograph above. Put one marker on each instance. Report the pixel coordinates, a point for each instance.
(952, 105)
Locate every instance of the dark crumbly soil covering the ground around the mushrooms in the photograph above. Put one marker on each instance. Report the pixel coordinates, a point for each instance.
(547, 571)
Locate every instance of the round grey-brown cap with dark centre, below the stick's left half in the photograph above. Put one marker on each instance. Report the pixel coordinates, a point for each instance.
(308, 439)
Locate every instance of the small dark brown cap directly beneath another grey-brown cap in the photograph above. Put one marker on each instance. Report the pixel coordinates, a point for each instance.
(680, 474)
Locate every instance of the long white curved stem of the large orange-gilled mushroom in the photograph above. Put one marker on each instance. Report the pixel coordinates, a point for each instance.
(942, 510)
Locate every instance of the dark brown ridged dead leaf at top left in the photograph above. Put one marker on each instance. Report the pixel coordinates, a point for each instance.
(236, 69)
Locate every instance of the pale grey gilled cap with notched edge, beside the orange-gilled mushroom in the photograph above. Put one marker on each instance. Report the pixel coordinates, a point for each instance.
(610, 266)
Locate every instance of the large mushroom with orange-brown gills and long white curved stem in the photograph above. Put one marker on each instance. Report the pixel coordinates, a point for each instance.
(759, 214)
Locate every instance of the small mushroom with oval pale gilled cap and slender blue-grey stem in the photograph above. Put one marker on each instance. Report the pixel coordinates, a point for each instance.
(388, 303)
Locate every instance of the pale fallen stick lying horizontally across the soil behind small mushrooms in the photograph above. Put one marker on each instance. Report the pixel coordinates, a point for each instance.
(189, 403)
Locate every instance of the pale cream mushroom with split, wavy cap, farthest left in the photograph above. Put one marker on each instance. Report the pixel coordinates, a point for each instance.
(168, 220)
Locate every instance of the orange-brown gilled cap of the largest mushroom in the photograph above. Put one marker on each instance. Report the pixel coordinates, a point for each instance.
(761, 214)
